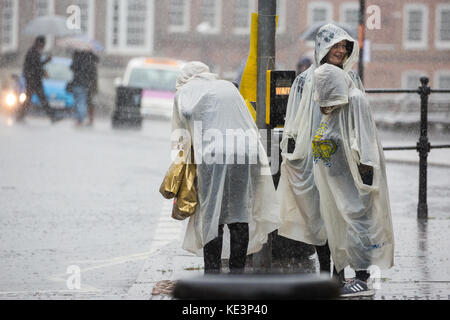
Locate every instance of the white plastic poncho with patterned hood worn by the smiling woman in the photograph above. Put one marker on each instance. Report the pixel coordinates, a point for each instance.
(300, 209)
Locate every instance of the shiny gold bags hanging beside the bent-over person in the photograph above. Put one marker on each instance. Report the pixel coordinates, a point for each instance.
(180, 182)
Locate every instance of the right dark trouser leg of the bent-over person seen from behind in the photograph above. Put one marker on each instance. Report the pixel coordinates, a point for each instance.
(239, 237)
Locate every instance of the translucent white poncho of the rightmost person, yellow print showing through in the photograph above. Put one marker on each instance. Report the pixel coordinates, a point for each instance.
(357, 216)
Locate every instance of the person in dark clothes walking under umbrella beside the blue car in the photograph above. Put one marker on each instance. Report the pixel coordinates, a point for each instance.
(33, 71)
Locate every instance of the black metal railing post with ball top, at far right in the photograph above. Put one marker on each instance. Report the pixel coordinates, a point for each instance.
(423, 147)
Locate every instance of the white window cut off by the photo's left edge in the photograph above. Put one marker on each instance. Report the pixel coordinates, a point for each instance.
(9, 25)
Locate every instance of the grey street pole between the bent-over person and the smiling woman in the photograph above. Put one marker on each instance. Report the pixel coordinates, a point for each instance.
(262, 261)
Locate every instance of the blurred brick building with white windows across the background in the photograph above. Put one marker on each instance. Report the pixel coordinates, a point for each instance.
(413, 38)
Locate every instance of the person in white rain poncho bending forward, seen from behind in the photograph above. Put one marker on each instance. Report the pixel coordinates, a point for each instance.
(235, 186)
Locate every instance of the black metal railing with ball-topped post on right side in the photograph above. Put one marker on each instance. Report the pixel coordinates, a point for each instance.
(423, 146)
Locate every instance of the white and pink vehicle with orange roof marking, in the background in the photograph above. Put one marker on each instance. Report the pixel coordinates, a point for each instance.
(157, 77)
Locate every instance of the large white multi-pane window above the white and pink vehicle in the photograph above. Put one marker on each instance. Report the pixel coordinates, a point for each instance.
(130, 27)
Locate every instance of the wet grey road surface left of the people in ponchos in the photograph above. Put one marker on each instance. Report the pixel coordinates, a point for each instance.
(77, 197)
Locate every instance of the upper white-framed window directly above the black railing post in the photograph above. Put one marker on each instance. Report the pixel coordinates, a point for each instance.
(415, 26)
